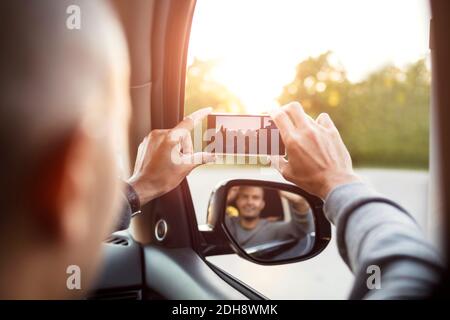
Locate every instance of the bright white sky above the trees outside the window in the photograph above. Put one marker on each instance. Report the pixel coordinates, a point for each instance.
(258, 43)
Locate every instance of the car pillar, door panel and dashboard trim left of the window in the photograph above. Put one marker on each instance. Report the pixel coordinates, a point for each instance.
(136, 264)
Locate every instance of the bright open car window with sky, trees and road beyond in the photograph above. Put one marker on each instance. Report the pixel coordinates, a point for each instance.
(366, 63)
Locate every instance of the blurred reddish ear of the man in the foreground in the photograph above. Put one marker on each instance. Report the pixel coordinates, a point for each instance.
(60, 193)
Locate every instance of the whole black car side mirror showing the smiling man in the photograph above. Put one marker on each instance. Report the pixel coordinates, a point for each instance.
(268, 222)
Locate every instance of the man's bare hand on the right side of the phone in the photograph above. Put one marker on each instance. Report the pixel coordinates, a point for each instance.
(318, 160)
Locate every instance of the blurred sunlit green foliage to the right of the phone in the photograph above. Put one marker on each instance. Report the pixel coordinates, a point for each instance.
(383, 120)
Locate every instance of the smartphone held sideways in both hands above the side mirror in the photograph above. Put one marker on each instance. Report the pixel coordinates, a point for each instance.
(243, 135)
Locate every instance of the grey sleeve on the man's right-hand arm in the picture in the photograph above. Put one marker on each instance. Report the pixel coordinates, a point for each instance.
(375, 231)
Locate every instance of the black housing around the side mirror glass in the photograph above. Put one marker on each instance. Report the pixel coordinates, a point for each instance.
(219, 238)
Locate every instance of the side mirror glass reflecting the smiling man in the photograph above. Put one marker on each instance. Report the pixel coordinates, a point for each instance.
(269, 224)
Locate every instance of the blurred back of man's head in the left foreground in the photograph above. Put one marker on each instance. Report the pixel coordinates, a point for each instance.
(63, 74)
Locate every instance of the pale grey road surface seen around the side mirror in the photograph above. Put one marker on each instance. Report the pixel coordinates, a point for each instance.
(324, 276)
